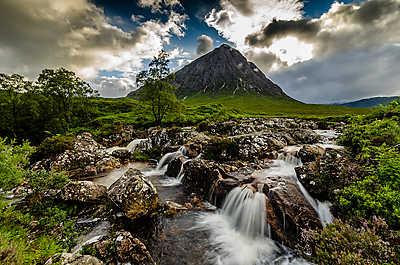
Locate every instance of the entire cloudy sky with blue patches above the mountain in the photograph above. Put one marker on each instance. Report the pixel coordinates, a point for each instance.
(317, 51)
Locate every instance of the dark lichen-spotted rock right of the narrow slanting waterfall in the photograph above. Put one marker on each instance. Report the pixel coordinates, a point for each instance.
(329, 173)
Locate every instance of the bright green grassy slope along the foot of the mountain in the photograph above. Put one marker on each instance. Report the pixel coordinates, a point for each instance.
(110, 112)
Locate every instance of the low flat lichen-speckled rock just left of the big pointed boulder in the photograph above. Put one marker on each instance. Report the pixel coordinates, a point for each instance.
(83, 191)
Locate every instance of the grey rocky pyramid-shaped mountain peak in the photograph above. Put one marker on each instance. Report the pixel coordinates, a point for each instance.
(223, 71)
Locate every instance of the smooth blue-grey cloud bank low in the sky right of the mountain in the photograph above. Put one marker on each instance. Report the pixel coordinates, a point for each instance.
(344, 76)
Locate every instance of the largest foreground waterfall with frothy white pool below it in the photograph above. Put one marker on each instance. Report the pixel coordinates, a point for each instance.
(237, 232)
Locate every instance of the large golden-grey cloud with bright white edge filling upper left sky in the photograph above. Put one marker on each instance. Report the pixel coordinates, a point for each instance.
(76, 35)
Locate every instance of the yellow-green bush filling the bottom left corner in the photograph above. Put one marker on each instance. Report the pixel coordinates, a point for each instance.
(32, 235)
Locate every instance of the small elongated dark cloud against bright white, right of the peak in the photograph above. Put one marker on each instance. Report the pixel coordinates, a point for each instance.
(302, 29)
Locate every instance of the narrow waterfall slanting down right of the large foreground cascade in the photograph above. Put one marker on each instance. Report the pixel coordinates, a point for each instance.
(284, 166)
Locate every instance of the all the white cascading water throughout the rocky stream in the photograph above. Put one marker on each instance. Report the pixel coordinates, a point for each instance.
(238, 233)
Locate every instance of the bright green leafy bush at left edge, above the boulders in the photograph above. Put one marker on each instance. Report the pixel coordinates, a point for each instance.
(13, 160)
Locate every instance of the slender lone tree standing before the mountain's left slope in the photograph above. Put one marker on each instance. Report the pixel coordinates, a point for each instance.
(156, 88)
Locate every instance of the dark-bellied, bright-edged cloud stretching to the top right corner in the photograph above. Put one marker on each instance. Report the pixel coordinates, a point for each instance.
(342, 28)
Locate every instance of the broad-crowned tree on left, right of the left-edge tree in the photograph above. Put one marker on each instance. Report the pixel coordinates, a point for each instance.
(66, 90)
